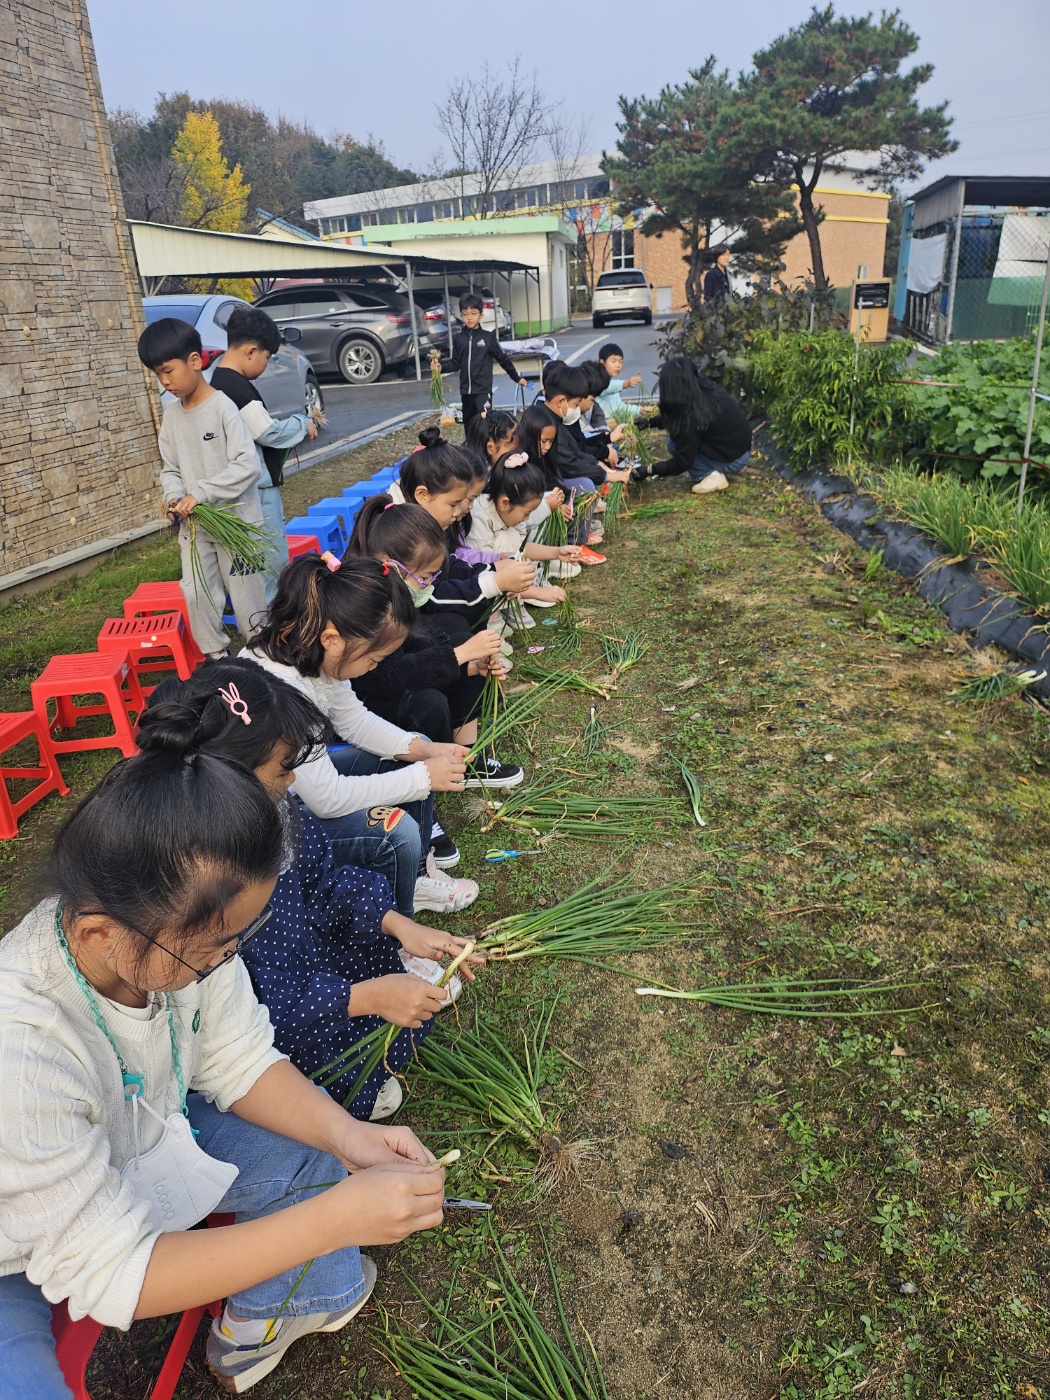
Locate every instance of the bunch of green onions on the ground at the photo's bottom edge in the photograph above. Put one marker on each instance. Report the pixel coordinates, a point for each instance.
(507, 1353)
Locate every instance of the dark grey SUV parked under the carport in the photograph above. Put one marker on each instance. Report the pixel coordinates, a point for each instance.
(356, 331)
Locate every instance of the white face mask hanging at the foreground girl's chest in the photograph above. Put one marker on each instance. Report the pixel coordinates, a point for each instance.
(178, 1181)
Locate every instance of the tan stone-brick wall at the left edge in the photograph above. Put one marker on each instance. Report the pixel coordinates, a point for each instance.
(78, 439)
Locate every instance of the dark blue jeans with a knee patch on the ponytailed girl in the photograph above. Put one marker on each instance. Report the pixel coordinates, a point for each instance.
(394, 848)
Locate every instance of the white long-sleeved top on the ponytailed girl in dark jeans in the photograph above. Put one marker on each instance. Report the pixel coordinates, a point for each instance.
(325, 792)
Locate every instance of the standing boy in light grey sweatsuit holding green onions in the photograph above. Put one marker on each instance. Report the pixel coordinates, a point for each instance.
(209, 458)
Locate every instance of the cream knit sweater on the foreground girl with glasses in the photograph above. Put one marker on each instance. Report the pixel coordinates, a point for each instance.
(66, 1219)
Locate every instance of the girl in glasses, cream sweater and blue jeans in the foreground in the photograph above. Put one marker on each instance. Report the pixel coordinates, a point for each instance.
(143, 1093)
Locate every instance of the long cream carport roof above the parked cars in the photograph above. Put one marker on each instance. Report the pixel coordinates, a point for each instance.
(167, 251)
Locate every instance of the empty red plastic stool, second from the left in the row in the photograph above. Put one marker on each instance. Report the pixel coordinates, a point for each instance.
(92, 673)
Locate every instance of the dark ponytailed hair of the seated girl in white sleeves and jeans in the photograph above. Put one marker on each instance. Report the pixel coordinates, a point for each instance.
(363, 600)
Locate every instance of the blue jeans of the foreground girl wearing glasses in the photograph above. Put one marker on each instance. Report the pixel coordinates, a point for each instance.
(275, 1172)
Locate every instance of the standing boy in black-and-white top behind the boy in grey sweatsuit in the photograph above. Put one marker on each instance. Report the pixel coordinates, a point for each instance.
(251, 339)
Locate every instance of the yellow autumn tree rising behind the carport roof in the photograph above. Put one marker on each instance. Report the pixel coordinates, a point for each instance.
(211, 194)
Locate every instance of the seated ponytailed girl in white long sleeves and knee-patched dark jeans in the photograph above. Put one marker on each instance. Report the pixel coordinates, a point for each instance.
(330, 624)
